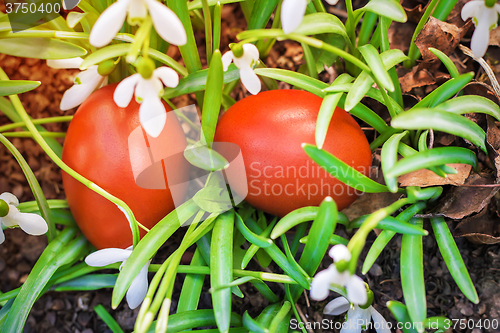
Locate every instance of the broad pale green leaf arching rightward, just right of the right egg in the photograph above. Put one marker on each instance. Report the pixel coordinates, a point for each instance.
(443, 121)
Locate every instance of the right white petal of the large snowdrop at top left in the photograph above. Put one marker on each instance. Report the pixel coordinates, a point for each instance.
(166, 23)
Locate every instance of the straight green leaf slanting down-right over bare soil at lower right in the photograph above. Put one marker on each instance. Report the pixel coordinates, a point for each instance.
(453, 259)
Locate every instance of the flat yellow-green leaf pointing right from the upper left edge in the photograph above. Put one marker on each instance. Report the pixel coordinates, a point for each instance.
(40, 48)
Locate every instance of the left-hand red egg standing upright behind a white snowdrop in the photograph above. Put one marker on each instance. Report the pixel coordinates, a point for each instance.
(96, 146)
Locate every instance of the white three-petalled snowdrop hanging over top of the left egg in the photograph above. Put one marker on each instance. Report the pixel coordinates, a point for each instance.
(152, 113)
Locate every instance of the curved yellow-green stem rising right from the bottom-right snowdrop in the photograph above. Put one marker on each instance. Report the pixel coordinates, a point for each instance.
(358, 241)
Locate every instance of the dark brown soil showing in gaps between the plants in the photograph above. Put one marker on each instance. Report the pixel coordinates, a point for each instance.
(73, 311)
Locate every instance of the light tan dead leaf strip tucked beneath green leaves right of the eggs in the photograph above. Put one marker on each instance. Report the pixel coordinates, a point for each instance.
(424, 177)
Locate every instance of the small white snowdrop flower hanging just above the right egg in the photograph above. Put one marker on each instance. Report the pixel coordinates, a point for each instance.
(245, 64)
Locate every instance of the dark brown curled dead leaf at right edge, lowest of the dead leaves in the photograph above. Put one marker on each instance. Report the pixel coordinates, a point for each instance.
(483, 228)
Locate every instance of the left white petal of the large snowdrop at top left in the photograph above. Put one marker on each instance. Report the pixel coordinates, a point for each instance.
(109, 23)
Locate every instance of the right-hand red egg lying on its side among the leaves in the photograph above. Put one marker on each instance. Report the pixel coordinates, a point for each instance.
(270, 128)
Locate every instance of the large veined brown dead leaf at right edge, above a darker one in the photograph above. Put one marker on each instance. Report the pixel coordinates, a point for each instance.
(465, 200)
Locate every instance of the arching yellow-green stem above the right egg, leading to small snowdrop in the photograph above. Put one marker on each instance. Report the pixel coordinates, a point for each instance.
(254, 35)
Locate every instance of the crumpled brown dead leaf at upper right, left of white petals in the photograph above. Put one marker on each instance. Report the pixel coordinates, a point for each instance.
(440, 35)
